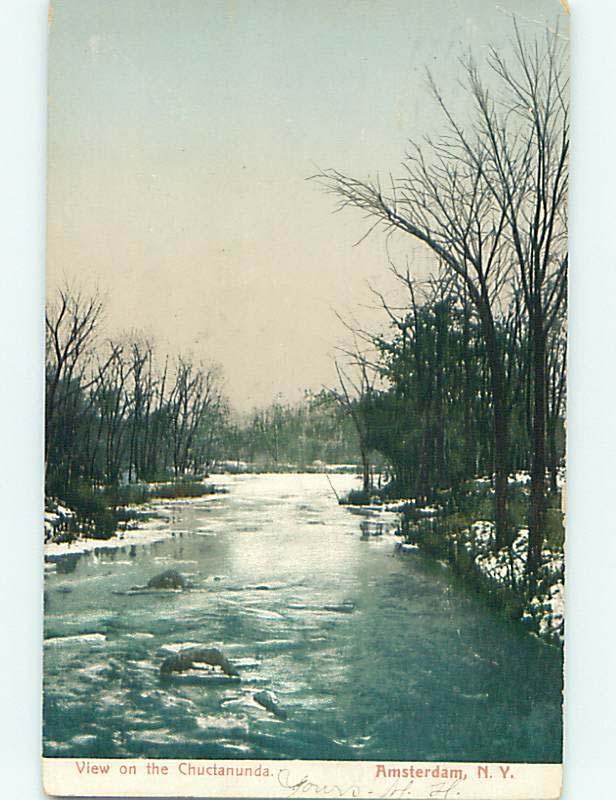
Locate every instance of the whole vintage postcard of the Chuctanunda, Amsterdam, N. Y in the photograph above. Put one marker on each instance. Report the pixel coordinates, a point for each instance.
(305, 398)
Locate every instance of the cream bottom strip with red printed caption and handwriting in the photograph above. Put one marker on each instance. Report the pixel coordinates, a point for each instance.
(143, 777)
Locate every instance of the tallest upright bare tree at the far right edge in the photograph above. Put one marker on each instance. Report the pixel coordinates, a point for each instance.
(522, 140)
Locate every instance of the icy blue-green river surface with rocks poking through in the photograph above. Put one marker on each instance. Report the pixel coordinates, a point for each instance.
(373, 654)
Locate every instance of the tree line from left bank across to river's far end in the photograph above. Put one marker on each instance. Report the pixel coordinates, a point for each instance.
(118, 412)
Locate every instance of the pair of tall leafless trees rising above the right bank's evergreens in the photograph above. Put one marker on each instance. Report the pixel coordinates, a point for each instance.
(488, 198)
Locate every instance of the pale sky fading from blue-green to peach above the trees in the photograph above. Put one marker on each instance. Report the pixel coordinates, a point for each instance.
(181, 136)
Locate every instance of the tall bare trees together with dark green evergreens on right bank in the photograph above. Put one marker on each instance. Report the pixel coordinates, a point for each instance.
(476, 365)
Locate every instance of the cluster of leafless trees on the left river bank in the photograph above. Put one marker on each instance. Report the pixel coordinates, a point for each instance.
(114, 411)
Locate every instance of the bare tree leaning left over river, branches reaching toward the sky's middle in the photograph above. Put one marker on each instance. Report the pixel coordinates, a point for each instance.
(443, 202)
